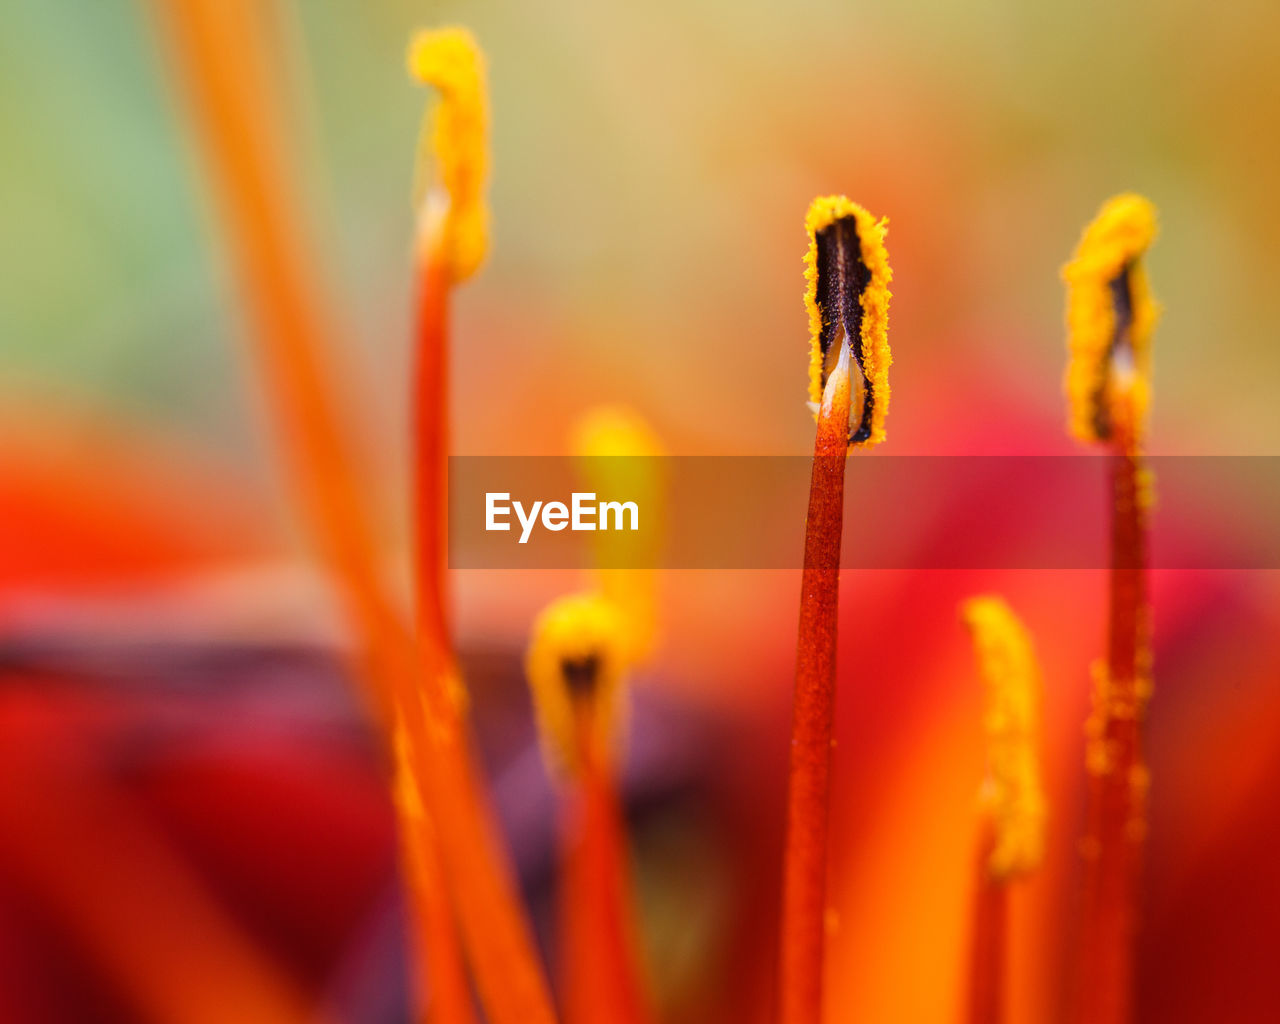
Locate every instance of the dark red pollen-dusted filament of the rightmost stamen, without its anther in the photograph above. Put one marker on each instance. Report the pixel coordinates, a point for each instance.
(1117, 824)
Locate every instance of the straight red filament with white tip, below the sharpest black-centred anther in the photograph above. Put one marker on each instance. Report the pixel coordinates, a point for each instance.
(804, 874)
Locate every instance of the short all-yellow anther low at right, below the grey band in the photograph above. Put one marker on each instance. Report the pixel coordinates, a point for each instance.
(1012, 796)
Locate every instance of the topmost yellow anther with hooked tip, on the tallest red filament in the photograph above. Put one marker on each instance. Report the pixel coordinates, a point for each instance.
(454, 150)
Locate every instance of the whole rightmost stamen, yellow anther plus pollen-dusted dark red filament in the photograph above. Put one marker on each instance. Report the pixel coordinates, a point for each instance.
(1110, 318)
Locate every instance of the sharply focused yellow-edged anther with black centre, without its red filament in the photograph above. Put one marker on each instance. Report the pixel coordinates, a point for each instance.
(847, 295)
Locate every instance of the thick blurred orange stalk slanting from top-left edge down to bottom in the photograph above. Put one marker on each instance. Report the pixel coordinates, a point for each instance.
(217, 49)
